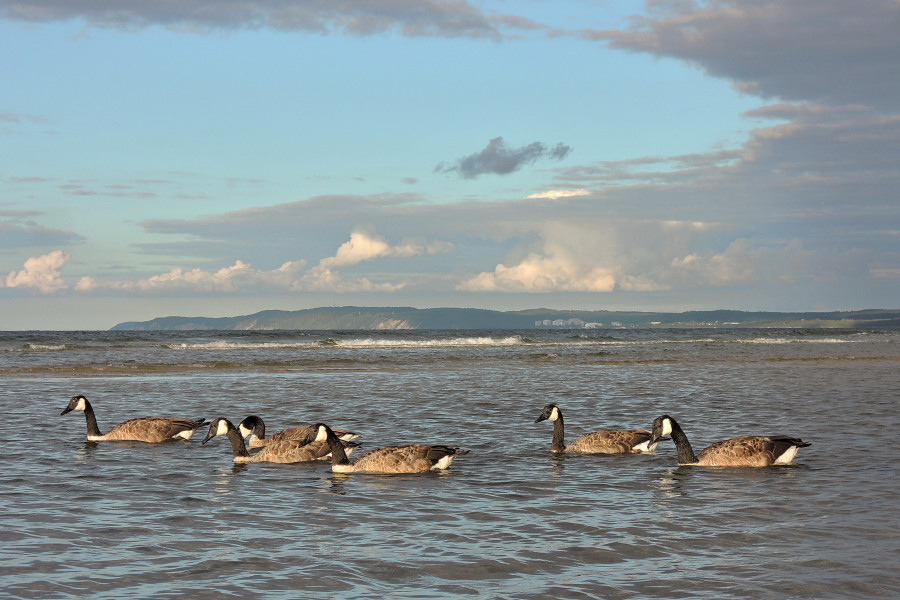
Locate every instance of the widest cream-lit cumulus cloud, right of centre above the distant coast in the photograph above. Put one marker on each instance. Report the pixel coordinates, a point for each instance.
(647, 256)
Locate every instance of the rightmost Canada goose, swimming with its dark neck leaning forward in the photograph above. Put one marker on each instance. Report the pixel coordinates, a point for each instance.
(742, 451)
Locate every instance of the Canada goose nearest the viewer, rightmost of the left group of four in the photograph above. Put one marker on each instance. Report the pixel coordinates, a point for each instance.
(389, 459)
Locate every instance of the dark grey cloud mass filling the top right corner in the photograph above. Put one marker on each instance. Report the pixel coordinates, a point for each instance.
(824, 51)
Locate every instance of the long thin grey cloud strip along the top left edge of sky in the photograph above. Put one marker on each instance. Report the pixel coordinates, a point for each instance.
(437, 18)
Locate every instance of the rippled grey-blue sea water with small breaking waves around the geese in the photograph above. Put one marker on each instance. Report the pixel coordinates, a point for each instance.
(508, 520)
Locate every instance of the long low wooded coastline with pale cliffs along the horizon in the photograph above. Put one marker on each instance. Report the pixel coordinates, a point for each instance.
(400, 318)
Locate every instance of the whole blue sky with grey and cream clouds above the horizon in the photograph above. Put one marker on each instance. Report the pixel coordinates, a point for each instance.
(222, 157)
